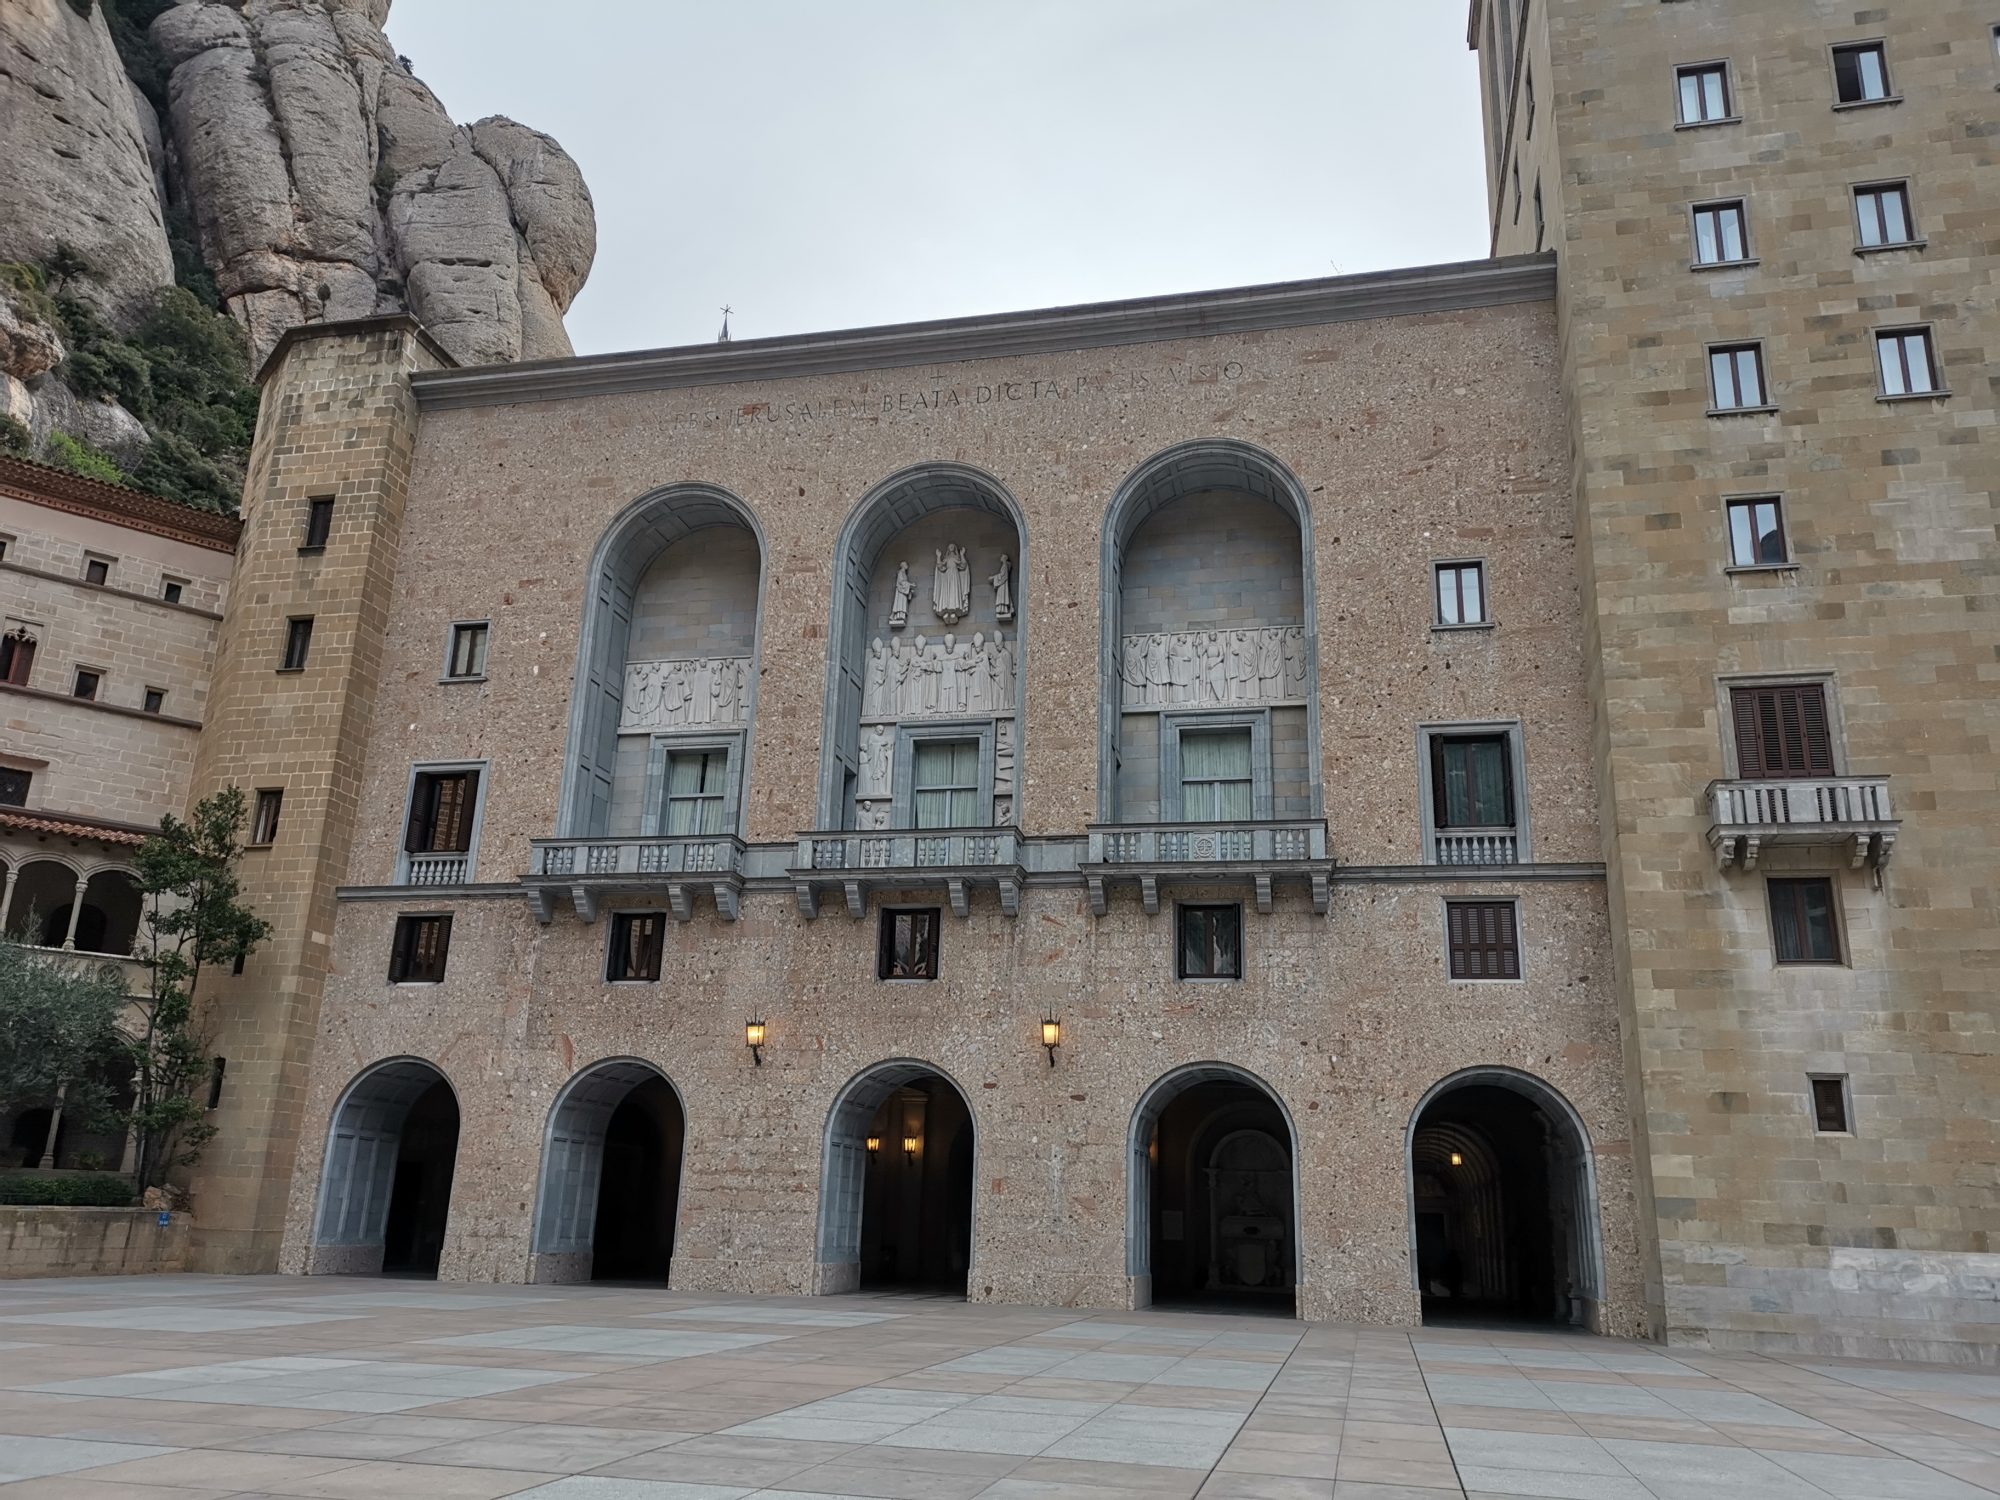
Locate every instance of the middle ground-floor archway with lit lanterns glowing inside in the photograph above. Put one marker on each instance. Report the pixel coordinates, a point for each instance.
(897, 1189)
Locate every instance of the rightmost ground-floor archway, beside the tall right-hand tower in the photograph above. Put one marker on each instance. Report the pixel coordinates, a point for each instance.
(1503, 1201)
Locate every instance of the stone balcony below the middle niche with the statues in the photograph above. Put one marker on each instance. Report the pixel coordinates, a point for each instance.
(903, 859)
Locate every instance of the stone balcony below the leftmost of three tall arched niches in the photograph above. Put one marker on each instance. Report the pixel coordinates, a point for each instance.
(599, 871)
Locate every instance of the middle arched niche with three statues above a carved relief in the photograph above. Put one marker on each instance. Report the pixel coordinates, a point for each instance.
(919, 695)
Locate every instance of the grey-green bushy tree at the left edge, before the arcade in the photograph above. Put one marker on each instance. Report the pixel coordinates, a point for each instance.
(57, 1027)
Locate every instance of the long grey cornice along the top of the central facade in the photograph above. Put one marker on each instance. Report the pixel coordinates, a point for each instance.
(1101, 325)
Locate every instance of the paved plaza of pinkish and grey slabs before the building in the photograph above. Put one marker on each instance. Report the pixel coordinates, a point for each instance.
(193, 1387)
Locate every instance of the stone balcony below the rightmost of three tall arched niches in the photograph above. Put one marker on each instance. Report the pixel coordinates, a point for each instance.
(1153, 855)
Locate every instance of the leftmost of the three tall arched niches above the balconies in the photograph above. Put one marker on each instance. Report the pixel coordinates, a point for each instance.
(667, 669)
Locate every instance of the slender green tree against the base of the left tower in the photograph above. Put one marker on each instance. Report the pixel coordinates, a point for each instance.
(187, 875)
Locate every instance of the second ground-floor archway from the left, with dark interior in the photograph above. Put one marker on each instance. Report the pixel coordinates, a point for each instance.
(611, 1177)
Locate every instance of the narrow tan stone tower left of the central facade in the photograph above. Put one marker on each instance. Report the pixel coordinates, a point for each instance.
(337, 425)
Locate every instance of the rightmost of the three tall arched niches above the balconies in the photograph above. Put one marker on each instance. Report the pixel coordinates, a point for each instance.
(1209, 651)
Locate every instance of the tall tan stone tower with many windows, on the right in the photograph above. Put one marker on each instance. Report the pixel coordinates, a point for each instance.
(1777, 257)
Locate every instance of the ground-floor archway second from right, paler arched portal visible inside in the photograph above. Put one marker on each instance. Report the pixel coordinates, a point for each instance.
(1213, 1193)
